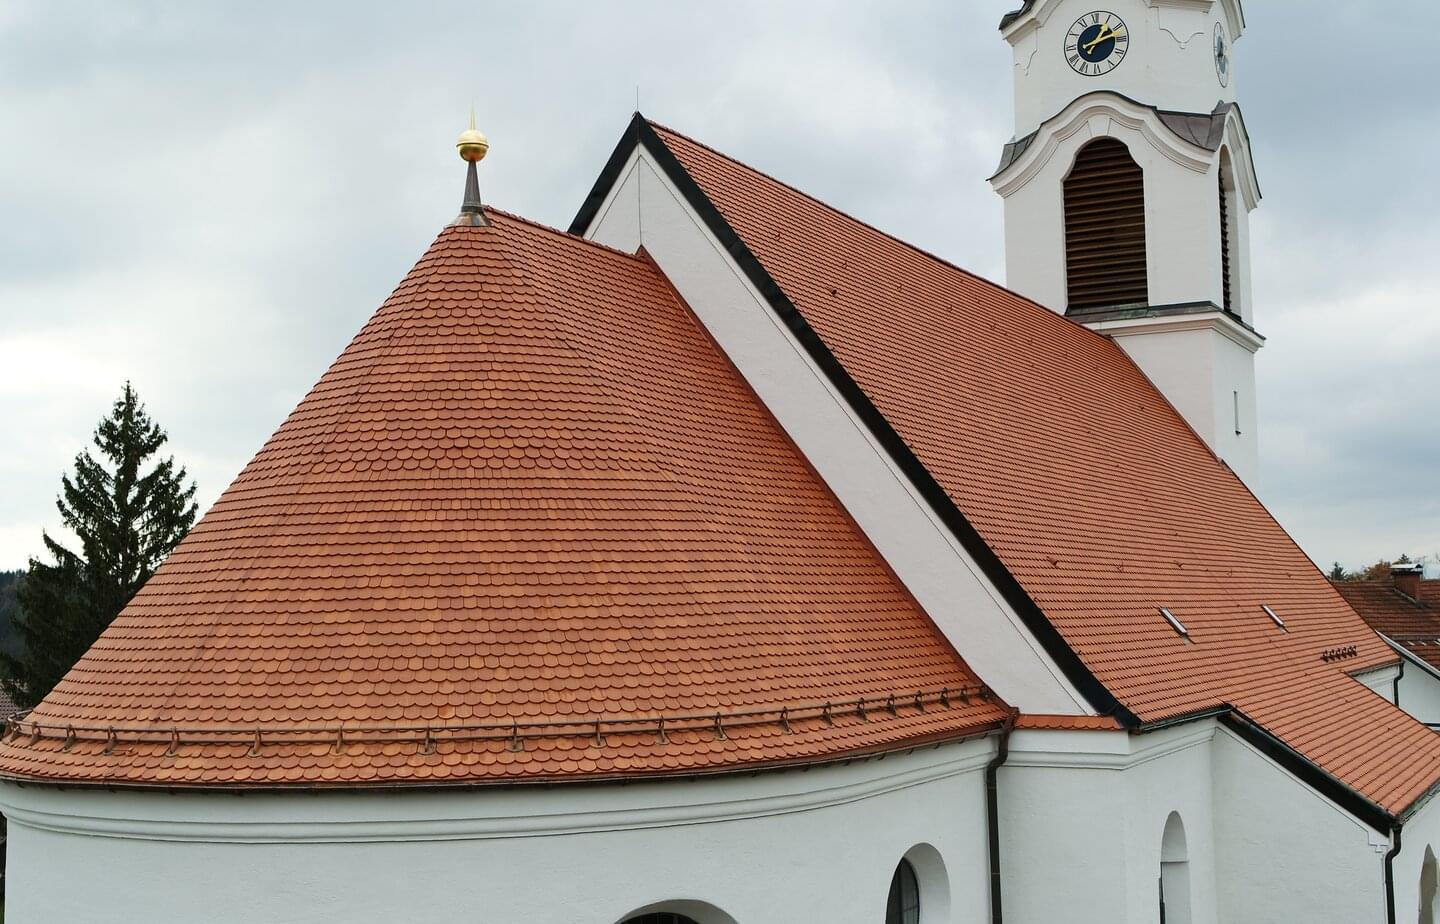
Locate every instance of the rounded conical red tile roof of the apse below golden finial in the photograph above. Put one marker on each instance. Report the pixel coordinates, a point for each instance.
(531, 526)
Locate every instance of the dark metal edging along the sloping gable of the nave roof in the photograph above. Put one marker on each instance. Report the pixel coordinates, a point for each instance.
(1036, 621)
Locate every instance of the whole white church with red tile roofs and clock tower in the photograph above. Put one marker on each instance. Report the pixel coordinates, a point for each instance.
(728, 561)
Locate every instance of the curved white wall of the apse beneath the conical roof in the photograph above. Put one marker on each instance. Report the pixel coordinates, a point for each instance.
(817, 846)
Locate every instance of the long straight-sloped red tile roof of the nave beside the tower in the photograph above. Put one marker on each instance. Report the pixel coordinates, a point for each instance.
(1082, 480)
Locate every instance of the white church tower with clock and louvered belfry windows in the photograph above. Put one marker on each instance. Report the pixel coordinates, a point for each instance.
(1128, 189)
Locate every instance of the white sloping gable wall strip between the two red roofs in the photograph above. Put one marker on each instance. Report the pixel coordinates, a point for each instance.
(646, 209)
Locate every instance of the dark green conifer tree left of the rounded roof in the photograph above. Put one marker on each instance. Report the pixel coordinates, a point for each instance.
(127, 520)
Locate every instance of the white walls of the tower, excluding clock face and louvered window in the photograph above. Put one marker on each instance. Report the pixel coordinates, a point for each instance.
(1167, 104)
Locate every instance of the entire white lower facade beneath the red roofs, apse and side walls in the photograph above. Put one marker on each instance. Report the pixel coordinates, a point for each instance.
(1084, 828)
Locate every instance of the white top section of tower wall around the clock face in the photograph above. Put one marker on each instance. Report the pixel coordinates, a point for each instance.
(1170, 61)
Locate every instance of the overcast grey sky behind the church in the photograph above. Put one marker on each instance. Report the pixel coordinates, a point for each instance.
(211, 199)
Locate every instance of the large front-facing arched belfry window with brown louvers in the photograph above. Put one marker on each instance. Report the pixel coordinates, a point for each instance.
(1105, 228)
